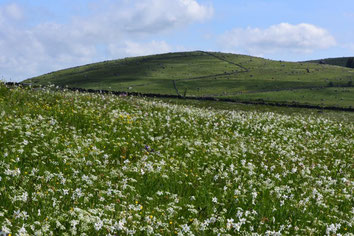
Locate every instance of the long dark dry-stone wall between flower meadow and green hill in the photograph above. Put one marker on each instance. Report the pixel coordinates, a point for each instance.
(152, 95)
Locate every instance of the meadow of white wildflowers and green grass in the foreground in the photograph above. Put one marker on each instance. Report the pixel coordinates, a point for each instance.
(89, 164)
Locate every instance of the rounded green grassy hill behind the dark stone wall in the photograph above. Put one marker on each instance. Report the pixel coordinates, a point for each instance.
(213, 74)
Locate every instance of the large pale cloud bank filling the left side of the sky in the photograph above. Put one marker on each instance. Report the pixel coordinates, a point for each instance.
(114, 28)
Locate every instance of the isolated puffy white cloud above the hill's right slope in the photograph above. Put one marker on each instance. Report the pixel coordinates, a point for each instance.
(301, 38)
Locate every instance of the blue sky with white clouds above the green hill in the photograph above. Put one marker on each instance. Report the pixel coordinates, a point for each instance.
(40, 36)
